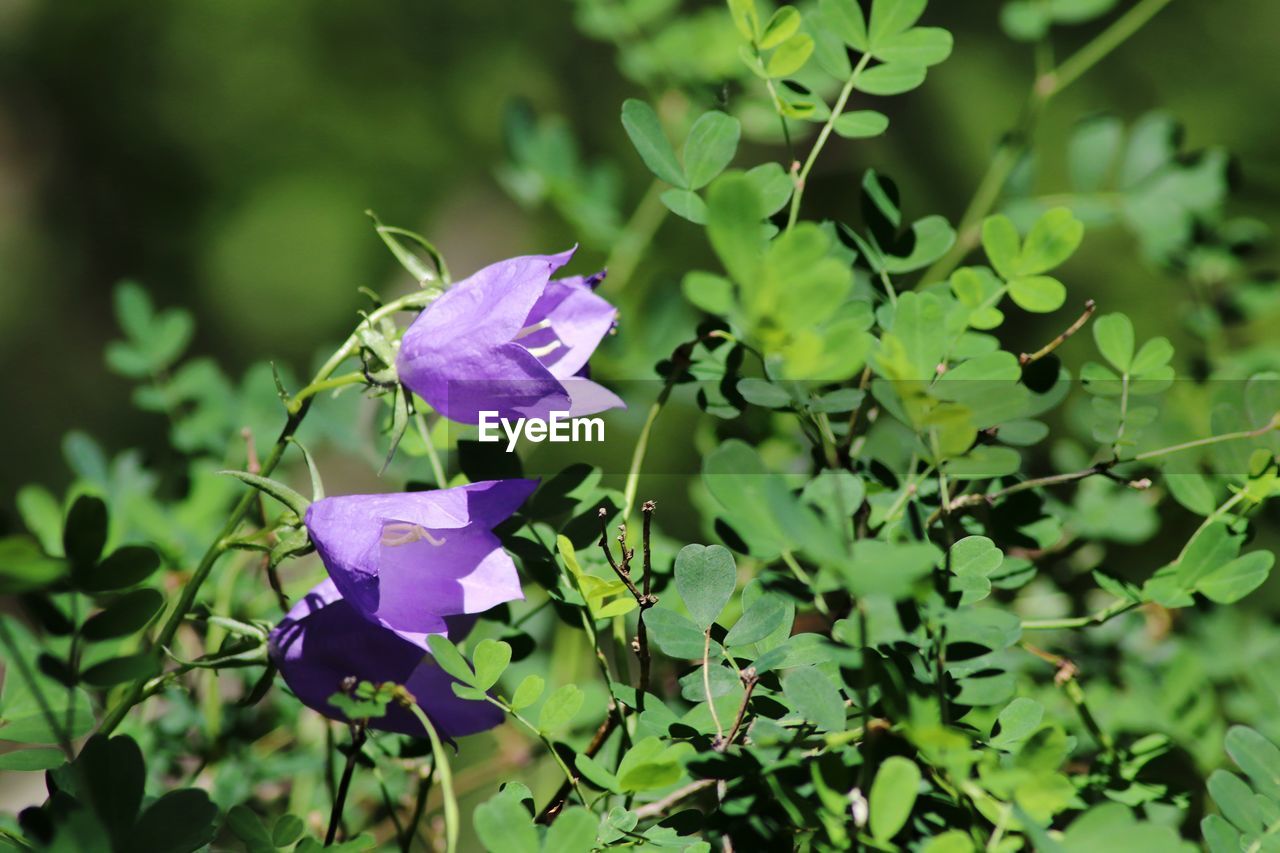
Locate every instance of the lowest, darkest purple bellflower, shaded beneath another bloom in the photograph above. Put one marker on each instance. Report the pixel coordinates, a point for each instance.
(323, 641)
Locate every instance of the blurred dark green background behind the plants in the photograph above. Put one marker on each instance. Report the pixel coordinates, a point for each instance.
(223, 154)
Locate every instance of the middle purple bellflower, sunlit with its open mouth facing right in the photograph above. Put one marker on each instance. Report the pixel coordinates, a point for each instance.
(413, 560)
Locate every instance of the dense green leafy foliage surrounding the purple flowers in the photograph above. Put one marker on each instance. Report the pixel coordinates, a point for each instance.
(943, 601)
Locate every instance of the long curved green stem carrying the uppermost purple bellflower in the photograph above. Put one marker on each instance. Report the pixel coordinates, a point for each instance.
(417, 300)
